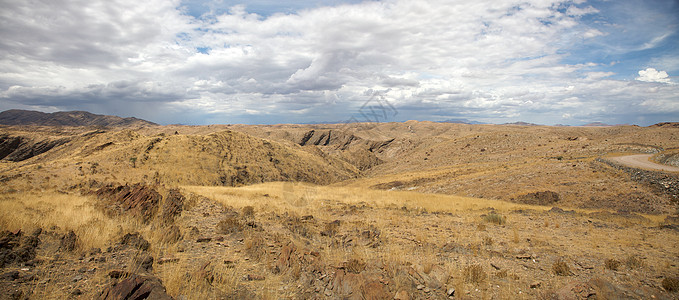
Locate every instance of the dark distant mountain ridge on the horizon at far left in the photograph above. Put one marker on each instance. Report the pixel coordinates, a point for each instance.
(67, 118)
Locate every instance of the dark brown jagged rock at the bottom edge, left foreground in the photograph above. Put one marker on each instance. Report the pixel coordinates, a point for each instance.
(136, 287)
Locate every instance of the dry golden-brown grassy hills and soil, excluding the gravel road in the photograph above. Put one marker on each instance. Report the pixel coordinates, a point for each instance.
(413, 210)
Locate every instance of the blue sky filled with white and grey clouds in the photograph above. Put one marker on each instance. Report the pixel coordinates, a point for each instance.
(200, 62)
